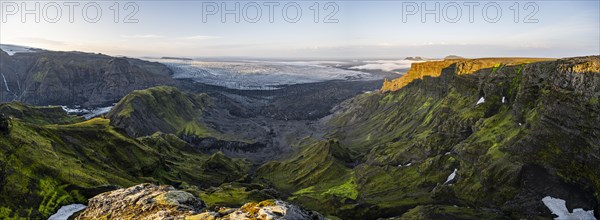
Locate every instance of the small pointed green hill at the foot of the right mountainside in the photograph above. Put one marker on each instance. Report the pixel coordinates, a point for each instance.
(319, 174)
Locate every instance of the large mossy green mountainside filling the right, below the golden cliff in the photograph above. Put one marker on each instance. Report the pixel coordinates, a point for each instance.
(536, 134)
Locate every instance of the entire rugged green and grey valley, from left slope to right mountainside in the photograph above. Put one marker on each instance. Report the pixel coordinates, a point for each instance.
(458, 139)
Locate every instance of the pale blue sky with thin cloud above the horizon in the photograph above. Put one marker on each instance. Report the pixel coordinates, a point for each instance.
(307, 29)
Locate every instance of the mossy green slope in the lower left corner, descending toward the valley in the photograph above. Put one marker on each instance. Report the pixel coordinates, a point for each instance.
(44, 166)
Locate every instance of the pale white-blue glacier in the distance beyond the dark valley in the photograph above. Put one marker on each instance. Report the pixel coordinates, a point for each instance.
(259, 75)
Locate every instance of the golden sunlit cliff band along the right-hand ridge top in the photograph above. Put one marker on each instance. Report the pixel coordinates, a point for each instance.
(456, 66)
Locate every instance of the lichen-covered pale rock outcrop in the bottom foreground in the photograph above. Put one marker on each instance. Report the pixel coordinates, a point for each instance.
(147, 201)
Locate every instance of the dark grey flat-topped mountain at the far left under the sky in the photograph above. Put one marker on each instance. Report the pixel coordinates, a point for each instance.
(75, 78)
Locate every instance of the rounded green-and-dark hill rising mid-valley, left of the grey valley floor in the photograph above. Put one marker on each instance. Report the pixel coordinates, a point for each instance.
(163, 109)
